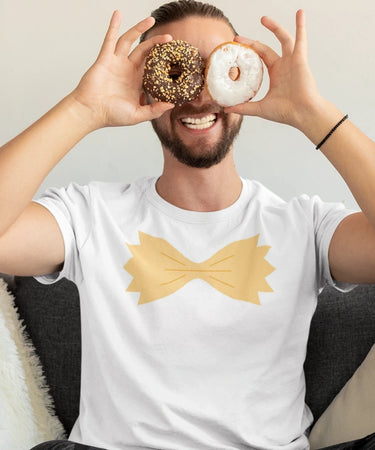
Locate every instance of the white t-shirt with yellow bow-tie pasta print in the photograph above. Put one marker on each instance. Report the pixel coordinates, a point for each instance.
(194, 324)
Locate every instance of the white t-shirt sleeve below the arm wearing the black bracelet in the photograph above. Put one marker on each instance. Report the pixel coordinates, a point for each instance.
(326, 218)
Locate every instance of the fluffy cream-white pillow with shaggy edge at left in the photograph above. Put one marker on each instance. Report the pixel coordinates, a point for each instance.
(26, 411)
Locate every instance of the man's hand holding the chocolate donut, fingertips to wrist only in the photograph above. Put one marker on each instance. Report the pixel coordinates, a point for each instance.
(111, 89)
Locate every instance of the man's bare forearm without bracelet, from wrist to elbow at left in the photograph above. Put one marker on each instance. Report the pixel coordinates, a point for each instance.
(26, 160)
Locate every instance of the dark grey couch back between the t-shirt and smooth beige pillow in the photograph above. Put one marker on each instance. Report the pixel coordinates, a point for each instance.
(341, 335)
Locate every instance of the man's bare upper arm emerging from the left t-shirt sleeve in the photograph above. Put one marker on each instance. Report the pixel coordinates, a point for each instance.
(33, 245)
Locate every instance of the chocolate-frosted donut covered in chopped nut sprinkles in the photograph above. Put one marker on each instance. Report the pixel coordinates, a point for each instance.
(174, 72)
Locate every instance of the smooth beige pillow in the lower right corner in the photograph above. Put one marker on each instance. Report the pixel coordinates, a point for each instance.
(351, 414)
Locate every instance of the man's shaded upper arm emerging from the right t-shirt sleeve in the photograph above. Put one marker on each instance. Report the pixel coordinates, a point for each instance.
(352, 250)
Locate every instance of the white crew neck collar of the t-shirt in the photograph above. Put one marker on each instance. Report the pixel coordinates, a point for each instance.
(185, 215)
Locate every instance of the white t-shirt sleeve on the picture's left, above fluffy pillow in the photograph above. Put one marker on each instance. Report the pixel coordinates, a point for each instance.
(71, 208)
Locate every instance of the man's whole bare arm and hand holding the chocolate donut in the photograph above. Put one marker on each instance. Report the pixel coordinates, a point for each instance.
(109, 94)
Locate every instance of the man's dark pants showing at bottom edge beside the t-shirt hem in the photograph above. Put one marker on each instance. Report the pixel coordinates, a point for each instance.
(367, 443)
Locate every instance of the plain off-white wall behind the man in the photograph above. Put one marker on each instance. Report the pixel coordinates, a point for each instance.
(46, 46)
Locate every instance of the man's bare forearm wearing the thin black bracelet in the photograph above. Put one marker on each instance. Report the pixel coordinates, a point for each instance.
(350, 151)
